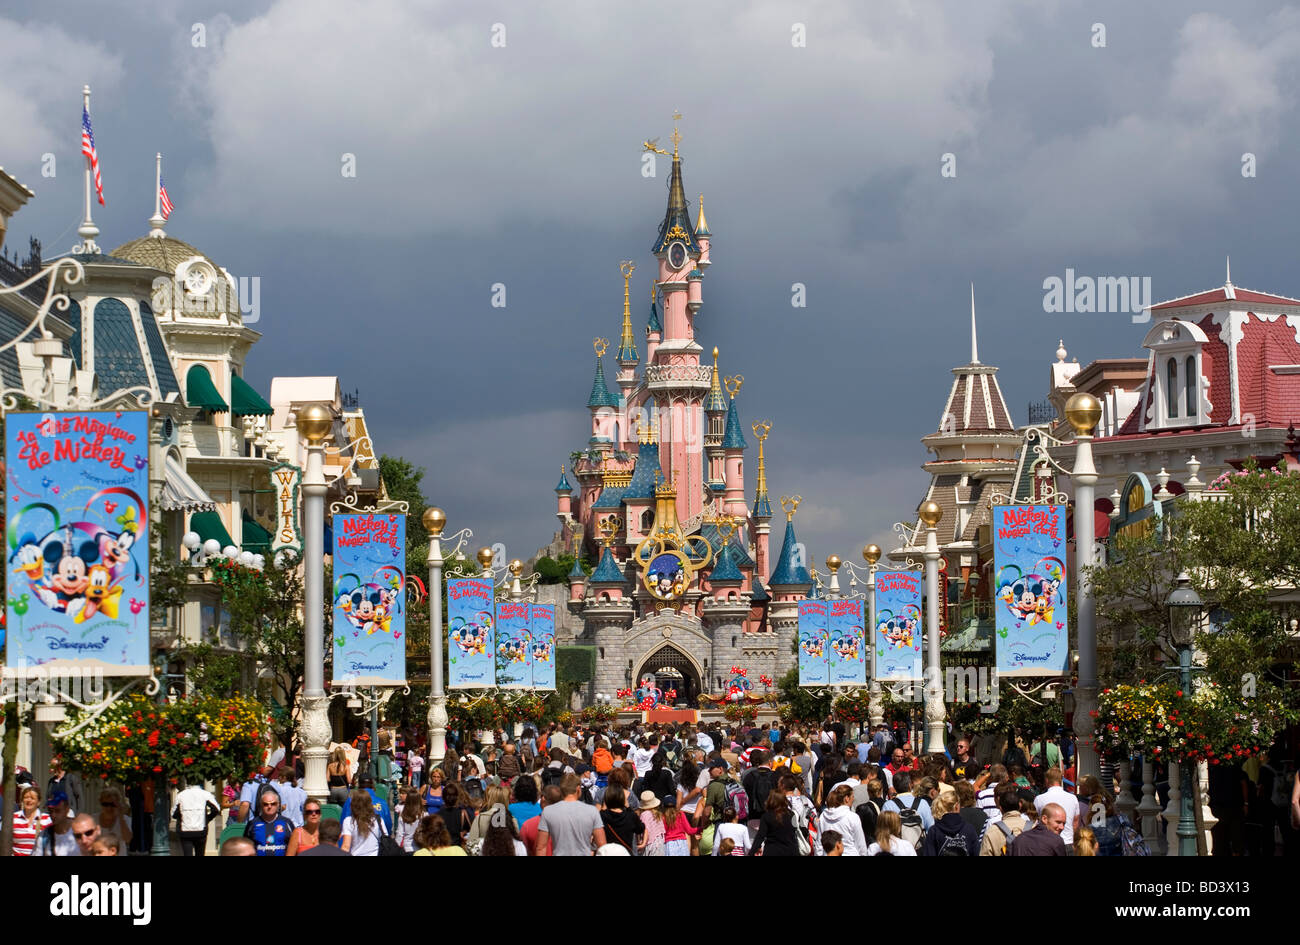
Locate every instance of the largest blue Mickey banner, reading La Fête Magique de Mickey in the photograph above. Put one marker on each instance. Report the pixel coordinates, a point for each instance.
(79, 584)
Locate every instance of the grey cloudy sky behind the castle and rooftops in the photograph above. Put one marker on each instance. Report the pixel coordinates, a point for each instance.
(821, 164)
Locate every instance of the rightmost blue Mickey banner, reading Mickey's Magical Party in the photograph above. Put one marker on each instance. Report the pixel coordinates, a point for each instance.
(1030, 591)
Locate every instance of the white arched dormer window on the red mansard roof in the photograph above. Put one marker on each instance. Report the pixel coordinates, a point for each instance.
(1180, 391)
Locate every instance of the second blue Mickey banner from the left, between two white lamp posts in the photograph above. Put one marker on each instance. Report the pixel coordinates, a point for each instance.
(370, 600)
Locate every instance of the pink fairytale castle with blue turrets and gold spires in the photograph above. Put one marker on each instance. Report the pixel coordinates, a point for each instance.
(684, 588)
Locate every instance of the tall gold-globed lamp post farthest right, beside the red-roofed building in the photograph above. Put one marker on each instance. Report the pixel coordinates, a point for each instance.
(1084, 411)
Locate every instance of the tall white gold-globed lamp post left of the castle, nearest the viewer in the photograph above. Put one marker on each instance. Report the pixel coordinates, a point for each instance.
(314, 730)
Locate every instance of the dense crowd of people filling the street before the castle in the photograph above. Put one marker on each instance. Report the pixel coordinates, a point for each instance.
(640, 791)
